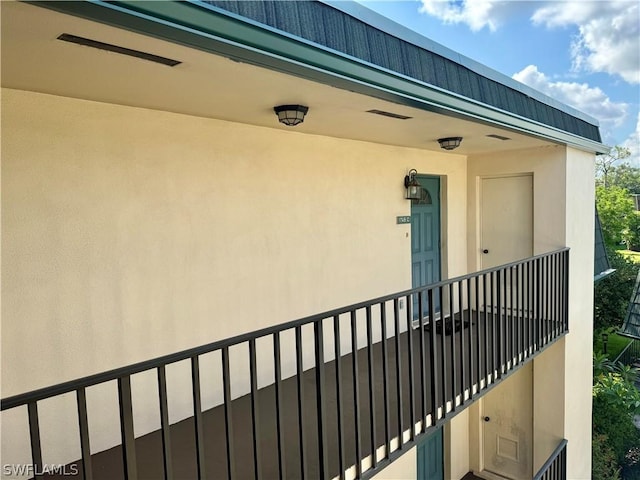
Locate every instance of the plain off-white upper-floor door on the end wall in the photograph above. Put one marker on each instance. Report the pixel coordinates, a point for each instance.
(506, 219)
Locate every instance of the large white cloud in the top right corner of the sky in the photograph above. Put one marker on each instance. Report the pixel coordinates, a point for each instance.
(608, 38)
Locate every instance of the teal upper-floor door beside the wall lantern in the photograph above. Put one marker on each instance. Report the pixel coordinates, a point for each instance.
(425, 237)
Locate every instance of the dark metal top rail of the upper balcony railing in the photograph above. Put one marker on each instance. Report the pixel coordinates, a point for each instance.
(110, 375)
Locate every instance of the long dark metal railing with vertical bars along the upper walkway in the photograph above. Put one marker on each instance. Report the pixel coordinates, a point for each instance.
(343, 391)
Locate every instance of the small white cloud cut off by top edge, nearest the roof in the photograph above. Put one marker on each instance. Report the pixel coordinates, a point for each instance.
(478, 14)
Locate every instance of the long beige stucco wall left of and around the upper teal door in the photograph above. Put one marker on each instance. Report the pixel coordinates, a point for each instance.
(129, 233)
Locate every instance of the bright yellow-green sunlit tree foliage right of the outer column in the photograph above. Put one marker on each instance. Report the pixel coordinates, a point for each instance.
(617, 215)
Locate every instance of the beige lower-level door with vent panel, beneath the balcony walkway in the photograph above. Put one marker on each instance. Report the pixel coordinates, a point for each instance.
(507, 420)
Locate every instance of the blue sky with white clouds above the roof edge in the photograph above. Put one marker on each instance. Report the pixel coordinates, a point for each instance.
(585, 53)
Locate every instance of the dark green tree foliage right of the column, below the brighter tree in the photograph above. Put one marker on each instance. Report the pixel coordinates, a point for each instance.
(612, 294)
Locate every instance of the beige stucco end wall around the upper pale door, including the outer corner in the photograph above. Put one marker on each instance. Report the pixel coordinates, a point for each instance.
(563, 203)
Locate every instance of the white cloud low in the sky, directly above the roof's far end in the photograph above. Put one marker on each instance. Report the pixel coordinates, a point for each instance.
(587, 99)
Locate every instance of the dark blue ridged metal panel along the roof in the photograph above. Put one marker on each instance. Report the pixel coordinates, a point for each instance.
(324, 25)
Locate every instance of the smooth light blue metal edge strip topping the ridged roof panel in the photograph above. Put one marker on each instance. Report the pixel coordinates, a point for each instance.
(374, 19)
